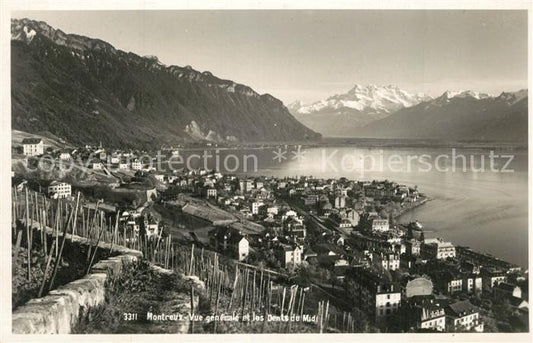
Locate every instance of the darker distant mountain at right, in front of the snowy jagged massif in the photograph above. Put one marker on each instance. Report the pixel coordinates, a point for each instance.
(464, 116)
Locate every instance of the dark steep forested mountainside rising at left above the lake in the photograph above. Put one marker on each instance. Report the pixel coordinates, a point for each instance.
(86, 91)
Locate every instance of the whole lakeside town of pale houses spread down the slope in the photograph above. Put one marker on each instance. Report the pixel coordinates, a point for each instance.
(338, 234)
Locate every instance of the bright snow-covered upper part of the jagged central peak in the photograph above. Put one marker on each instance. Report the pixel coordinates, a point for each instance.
(370, 99)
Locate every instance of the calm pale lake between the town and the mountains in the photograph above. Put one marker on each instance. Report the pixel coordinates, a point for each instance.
(484, 208)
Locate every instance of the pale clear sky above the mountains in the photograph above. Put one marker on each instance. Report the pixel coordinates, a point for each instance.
(310, 55)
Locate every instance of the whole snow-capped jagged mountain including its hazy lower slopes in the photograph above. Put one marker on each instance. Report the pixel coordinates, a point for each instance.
(340, 114)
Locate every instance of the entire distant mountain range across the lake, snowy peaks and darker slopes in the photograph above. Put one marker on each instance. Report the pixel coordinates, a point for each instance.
(389, 112)
